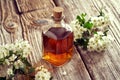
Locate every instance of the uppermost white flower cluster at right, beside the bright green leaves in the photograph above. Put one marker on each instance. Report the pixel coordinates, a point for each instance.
(100, 22)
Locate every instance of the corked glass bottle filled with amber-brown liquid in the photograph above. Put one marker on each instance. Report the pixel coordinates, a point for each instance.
(58, 40)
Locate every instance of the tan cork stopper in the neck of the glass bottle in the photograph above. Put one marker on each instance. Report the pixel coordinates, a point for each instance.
(57, 13)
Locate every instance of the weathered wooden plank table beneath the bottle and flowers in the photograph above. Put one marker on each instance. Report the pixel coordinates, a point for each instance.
(83, 66)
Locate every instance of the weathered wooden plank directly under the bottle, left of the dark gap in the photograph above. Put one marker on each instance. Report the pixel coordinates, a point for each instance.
(32, 33)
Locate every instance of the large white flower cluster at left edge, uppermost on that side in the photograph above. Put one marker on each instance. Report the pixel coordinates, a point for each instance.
(20, 47)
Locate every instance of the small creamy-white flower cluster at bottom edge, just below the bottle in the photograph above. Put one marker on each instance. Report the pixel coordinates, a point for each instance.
(42, 74)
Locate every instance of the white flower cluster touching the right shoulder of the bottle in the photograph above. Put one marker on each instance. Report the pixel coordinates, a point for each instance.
(78, 30)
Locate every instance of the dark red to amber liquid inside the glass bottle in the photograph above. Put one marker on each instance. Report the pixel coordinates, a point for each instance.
(58, 46)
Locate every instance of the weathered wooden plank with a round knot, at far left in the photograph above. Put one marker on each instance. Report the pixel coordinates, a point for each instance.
(9, 19)
